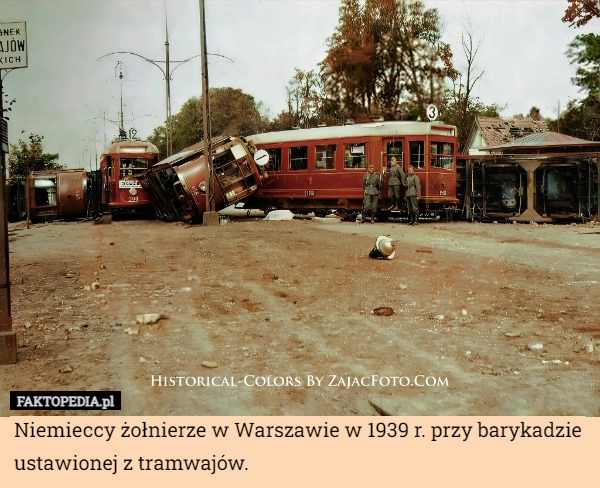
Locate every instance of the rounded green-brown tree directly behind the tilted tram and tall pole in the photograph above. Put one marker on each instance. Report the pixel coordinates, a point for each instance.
(232, 112)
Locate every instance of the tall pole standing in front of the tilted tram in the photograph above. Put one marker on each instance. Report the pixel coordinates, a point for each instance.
(210, 217)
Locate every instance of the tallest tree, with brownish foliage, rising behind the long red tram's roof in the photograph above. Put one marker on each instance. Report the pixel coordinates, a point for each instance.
(386, 58)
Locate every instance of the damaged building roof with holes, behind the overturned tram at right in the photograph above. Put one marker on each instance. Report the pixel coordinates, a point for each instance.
(496, 130)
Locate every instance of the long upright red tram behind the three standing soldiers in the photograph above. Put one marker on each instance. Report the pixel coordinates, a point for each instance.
(321, 169)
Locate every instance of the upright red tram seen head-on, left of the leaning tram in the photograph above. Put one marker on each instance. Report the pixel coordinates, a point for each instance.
(121, 165)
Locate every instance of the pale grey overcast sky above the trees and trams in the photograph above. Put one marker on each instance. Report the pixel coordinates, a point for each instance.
(72, 98)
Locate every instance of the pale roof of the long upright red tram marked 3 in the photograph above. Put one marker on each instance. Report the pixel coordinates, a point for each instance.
(390, 129)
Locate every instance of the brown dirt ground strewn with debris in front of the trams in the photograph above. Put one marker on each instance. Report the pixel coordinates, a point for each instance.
(489, 319)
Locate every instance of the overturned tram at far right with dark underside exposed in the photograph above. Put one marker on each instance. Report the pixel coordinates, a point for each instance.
(547, 177)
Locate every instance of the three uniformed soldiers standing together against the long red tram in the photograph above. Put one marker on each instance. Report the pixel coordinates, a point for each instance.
(372, 185)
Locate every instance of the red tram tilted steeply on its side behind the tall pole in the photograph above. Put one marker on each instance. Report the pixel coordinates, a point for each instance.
(178, 183)
